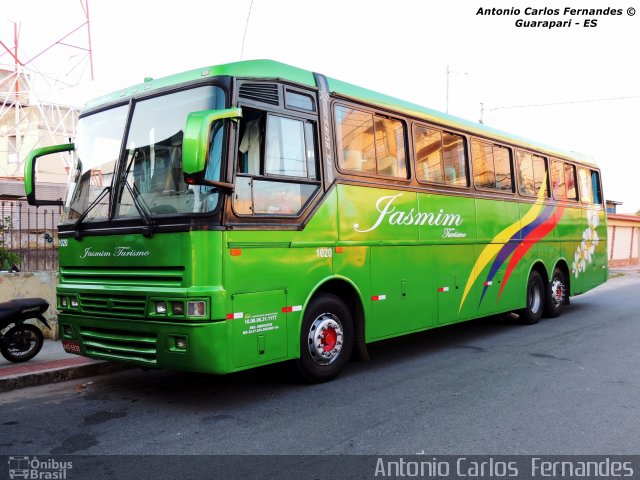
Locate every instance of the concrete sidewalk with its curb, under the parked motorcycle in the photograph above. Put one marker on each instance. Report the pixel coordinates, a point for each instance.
(51, 365)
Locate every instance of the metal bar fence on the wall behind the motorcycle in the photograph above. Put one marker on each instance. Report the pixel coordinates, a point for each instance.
(28, 237)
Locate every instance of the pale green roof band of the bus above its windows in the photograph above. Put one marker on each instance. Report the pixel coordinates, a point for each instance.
(281, 71)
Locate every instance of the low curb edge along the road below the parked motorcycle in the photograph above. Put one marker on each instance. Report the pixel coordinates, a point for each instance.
(59, 374)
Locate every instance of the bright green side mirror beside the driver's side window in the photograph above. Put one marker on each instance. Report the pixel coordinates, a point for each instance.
(195, 144)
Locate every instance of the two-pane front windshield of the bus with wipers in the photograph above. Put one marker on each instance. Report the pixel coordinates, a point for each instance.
(151, 180)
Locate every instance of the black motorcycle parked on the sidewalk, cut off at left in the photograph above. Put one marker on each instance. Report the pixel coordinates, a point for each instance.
(22, 341)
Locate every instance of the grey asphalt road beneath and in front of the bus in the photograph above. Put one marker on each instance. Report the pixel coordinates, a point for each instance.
(565, 386)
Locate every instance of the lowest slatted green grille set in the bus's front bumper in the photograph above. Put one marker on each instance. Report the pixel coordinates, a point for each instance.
(123, 345)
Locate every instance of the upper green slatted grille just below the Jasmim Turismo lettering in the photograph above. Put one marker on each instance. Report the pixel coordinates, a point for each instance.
(139, 276)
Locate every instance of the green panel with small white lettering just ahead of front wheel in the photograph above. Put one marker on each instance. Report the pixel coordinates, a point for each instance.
(259, 328)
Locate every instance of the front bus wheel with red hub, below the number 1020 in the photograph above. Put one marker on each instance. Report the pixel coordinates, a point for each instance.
(326, 338)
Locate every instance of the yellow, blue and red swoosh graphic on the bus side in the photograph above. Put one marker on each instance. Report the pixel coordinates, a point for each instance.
(538, 222)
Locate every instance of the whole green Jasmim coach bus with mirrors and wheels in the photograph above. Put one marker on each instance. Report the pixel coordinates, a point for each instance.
(254, 212)
